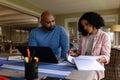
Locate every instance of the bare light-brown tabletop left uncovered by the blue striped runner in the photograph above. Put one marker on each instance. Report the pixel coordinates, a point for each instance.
(75, 75)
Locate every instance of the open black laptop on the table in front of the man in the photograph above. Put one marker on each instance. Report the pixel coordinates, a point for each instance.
(45, 54)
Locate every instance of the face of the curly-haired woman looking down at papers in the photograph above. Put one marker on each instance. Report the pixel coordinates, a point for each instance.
(88, 27)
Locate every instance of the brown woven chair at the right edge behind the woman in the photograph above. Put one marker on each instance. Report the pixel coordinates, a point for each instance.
(112, 71)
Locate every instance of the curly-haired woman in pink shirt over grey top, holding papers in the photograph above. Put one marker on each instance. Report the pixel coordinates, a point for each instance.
(93, 41)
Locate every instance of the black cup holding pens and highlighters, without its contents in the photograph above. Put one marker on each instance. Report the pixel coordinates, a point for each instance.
(31, 70)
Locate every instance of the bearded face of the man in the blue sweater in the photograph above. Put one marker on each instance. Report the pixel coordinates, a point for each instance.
(48, 22)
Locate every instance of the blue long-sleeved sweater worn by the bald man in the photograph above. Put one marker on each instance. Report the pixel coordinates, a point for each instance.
(57, 39)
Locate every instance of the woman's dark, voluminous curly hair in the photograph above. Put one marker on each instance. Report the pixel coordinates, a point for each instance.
(93, 18)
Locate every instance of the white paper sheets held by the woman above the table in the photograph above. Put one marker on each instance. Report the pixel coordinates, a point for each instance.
(86, 62)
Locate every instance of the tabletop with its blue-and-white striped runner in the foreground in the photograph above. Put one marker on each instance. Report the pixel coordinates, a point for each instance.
(54, 70)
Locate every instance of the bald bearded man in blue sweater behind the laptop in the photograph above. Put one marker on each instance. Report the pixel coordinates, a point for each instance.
(50, 35)
